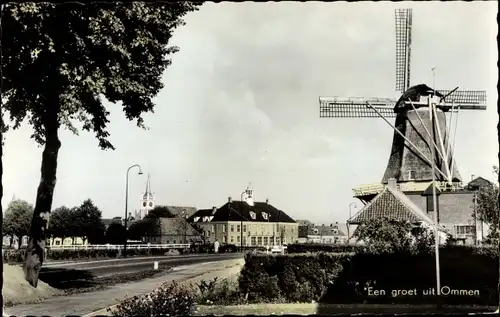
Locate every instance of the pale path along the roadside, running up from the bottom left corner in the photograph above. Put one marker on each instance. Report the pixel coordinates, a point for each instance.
(86, 303)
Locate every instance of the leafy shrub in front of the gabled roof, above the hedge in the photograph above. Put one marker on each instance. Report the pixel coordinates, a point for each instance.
(394, 236)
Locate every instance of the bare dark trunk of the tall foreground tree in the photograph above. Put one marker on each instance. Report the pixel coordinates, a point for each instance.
(38, 231)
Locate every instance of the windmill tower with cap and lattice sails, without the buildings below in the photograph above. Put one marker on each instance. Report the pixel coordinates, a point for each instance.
(417, 131)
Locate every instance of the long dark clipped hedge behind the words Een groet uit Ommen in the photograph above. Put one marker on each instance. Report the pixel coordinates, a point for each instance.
(347, 278)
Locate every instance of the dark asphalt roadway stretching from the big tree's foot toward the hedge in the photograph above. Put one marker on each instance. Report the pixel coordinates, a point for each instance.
(54, 271)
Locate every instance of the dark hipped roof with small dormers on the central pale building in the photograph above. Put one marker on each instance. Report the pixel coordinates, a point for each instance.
(240, 210)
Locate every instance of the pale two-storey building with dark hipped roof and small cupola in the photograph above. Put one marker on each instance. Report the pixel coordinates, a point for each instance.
(246, 223)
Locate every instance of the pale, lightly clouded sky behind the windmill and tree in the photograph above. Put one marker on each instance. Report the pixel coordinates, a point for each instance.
(240, 105)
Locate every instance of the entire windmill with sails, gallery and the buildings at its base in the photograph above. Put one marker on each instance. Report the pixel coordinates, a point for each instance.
(421, 154)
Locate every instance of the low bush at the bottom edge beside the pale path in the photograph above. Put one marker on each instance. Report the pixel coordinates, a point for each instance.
(168, 300)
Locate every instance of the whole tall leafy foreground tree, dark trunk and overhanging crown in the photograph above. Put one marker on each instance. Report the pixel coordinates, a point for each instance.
(59, 62)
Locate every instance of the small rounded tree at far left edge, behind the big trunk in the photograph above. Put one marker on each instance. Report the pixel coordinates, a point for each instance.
(17, 220)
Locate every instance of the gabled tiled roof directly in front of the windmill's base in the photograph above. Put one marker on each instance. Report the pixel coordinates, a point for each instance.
(392, 204)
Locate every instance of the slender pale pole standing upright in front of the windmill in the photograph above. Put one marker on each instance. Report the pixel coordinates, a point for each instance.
(434, 205)
